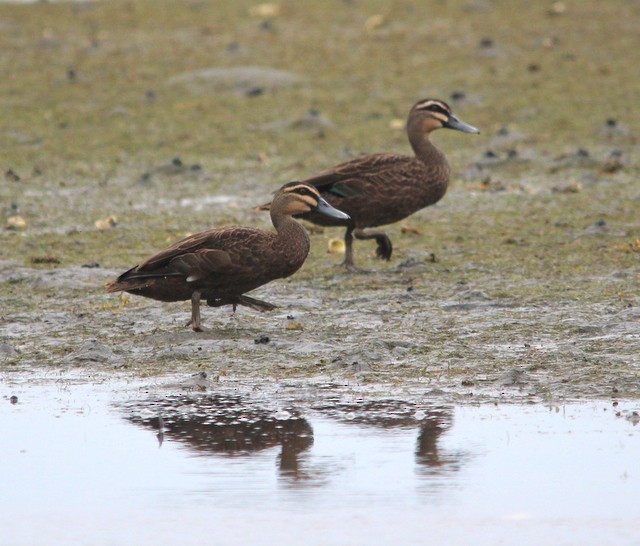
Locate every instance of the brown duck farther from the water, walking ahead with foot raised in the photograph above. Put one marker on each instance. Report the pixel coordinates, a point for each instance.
(380, 189)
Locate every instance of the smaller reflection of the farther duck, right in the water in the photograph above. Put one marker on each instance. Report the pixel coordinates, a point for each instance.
(431, 422)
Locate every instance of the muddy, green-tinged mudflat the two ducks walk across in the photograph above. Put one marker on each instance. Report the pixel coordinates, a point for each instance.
(127, 125)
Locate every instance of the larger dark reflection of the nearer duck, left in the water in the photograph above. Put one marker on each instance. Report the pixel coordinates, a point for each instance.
(226, 424)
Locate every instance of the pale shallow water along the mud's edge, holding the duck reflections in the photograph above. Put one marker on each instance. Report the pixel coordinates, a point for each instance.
(136, 463)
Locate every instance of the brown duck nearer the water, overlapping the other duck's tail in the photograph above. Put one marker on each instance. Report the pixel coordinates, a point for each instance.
(220, 265)
